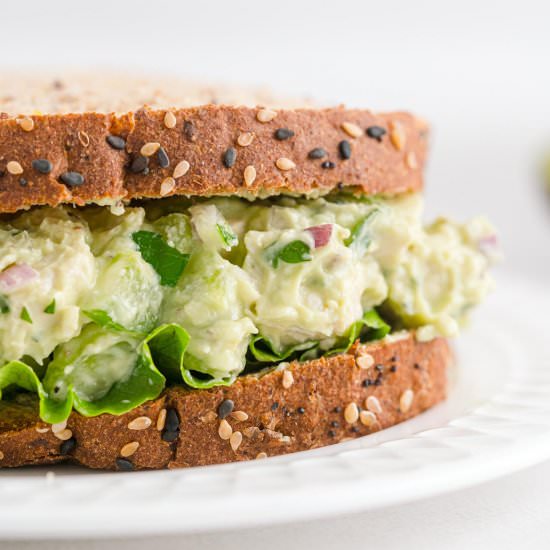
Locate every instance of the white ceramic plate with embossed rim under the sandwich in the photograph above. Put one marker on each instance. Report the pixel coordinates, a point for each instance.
(496, 420)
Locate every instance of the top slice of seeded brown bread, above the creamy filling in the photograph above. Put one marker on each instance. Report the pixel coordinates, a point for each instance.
(86, 147)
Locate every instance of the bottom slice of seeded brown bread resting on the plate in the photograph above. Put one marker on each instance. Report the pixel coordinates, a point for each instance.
(296, 407)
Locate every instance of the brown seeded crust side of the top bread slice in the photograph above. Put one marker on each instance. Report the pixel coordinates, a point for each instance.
(388, 164)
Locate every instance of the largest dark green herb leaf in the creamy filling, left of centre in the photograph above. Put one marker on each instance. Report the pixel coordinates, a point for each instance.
(166, 260)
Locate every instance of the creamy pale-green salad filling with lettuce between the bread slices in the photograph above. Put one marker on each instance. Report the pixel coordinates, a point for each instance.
(101, 307)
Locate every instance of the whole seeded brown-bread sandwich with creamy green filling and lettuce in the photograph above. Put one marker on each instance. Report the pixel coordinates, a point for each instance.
(193, 277)
